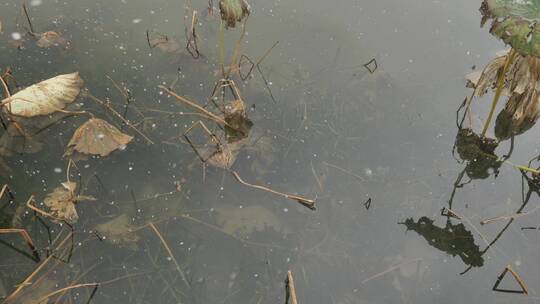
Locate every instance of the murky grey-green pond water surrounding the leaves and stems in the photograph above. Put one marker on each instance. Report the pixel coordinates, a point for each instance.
(324, 127)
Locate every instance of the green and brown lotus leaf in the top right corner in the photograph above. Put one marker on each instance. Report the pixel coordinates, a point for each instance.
(515, 22)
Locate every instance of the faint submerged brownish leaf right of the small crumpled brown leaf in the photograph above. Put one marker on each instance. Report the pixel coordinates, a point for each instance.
(119, 231)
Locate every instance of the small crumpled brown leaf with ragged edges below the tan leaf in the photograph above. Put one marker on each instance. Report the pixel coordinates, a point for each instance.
(62, 200)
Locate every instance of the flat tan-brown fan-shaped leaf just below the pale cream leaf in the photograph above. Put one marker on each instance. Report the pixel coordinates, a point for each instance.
(97, 137)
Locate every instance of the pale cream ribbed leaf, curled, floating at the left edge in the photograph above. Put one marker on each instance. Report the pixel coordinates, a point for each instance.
(46, 97)
